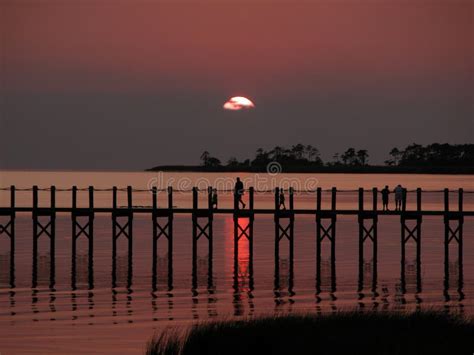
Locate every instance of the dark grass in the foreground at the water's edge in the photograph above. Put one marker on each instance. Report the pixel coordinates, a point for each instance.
(340, 333)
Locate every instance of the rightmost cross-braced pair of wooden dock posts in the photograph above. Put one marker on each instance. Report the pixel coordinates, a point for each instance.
(455, 235)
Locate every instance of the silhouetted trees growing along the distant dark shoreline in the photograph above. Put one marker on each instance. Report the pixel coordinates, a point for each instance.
(300, 155)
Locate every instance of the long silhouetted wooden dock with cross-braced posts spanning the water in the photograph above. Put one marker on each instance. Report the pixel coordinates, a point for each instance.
(44, 223)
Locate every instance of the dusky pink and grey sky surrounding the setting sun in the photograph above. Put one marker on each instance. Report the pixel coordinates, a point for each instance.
(127, 85)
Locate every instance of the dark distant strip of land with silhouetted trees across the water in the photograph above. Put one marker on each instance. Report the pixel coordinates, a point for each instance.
(414, 159)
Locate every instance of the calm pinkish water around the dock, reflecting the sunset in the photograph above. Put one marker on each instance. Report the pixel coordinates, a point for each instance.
(108, 319)
